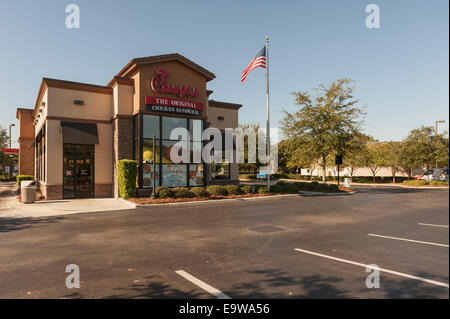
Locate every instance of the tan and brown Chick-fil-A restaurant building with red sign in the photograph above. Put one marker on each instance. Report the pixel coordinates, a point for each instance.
(74, 137)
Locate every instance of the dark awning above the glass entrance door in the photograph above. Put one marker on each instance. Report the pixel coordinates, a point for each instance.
(79, 133)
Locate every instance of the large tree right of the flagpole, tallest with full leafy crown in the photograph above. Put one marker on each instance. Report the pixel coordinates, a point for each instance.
(325, 122)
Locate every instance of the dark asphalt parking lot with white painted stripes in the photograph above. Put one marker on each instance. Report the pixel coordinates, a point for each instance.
(291, 247)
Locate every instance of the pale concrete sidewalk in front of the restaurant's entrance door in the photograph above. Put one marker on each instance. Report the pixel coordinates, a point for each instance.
(11, 207)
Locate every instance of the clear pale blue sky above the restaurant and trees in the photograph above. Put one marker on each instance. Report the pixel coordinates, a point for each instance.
(401, 70)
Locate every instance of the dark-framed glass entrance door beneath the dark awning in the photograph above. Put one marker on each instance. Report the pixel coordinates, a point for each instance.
(78, 175)
